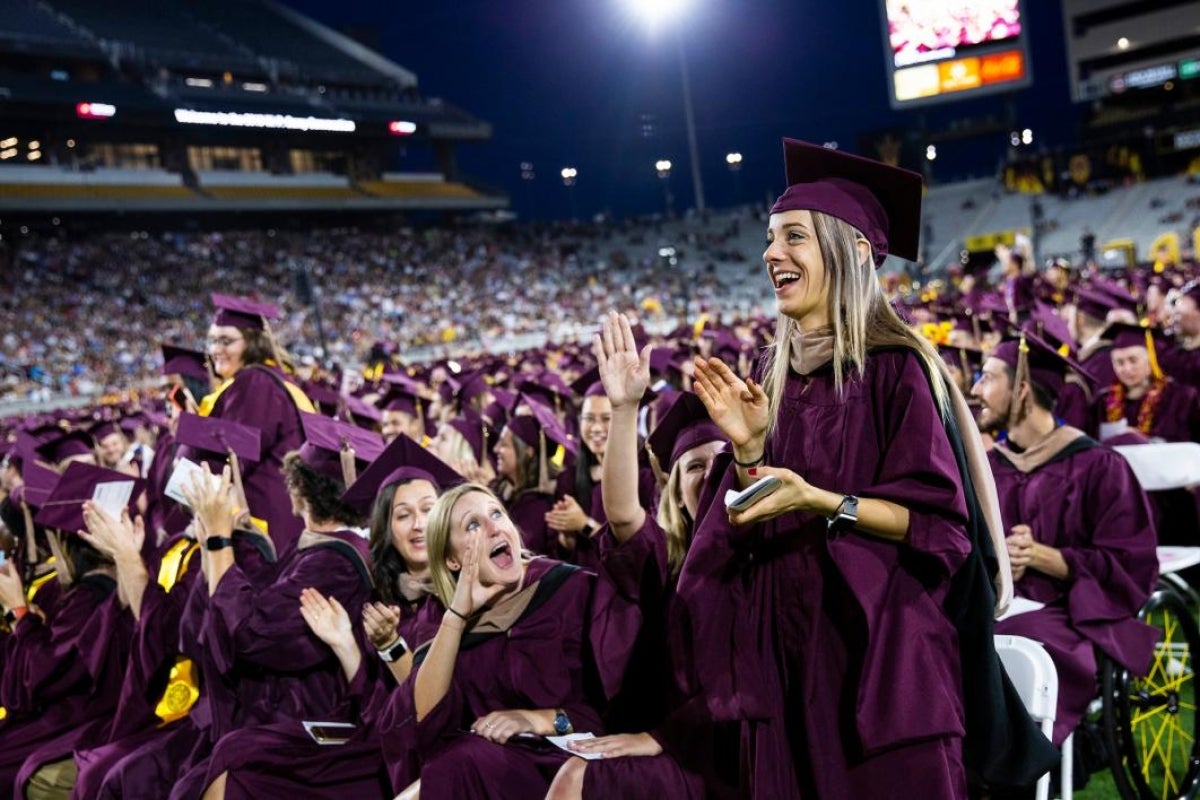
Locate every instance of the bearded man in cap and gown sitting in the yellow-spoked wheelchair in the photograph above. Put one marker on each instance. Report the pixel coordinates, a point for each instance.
(1081, 537)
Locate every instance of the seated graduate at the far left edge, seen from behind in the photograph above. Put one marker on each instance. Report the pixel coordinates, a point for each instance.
(61, 669)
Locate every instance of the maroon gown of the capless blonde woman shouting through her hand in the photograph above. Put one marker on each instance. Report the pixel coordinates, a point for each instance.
(550, 658)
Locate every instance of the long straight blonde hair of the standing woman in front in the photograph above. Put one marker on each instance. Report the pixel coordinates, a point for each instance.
(860, 314)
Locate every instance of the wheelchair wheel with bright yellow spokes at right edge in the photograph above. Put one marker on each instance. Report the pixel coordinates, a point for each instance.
(1151, 723)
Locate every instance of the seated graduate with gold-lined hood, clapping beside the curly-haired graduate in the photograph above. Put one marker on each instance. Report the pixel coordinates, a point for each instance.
(154, 731)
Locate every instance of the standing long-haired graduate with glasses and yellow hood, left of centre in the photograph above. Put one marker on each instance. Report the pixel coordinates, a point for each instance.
(256, 393)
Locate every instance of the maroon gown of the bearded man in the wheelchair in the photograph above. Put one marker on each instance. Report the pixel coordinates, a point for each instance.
(1084, 501)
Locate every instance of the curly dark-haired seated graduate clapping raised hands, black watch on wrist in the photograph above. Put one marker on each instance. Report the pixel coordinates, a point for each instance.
(255, 636)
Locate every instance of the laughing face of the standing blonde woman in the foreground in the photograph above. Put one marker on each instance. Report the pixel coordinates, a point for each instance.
(797, 269)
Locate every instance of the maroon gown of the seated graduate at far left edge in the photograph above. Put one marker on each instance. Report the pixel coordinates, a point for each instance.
(61, 679)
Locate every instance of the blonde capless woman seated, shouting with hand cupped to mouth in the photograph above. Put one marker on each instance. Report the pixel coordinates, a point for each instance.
(512, 661)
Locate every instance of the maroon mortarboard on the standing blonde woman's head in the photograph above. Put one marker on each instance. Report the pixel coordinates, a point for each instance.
(883, 202)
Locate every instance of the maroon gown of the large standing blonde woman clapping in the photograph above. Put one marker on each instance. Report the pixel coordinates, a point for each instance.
(835, 649)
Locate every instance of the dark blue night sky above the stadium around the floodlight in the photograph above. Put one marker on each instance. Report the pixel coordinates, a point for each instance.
(573, 82)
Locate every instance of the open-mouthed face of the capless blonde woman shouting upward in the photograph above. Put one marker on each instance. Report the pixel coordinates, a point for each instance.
(479, 514)
